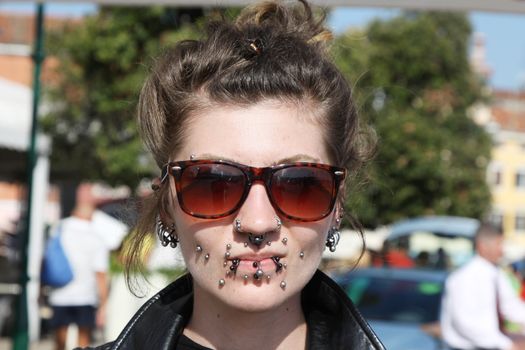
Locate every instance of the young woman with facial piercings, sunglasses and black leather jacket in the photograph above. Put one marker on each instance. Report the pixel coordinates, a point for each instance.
(255, 134)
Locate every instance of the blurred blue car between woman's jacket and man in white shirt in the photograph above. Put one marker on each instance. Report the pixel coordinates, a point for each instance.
(401, 305)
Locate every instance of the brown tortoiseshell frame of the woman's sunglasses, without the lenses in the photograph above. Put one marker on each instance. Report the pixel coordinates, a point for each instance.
(252, 174)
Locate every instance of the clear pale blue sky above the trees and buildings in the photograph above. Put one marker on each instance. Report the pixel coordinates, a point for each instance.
(505, 44)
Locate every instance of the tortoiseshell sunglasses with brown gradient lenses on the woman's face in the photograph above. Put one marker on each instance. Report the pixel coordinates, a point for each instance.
(212, 189)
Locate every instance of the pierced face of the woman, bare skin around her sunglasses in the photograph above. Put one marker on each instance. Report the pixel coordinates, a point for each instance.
(264, 134)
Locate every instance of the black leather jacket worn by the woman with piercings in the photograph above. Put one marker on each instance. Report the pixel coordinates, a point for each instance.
(333, 322)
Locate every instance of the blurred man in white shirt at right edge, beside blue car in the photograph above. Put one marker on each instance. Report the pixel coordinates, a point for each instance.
(477, 295)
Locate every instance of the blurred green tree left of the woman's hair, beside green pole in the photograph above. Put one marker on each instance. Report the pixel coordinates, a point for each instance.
(91, 106)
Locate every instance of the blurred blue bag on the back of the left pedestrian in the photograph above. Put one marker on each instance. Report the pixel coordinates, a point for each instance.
(56, 271)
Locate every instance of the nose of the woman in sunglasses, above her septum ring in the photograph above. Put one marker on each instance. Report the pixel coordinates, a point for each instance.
(257, 215)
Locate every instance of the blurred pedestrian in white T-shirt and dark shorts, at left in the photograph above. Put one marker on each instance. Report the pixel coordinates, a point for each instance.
(83, 300)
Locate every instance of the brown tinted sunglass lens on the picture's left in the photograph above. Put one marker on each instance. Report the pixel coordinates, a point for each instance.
(209, 190)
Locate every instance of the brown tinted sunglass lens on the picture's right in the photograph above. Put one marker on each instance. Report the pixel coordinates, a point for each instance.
(303, 192)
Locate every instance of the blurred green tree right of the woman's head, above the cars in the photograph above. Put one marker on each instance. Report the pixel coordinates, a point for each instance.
(413, 82)
